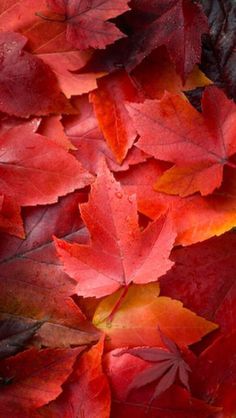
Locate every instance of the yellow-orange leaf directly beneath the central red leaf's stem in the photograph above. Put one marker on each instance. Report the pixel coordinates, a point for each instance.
(139, 315)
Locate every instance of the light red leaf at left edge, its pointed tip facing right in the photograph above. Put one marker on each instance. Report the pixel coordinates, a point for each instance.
(34, 170)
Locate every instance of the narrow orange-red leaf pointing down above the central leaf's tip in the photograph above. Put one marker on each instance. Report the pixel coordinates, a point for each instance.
(114, 120)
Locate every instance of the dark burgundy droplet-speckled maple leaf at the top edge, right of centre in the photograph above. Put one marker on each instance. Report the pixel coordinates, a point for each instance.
(177, 24)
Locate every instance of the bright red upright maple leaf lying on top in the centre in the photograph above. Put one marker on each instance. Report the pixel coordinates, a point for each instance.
(119, 253)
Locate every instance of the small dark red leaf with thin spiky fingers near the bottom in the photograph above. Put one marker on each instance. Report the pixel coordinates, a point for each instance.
(165, 366)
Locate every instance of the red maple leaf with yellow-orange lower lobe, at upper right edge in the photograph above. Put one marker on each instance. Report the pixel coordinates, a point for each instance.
(198, 144)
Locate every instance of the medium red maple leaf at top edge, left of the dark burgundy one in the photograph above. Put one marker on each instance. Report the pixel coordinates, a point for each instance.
(86, 21)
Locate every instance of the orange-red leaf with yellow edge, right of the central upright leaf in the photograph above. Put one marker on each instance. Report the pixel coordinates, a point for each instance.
(195, 218)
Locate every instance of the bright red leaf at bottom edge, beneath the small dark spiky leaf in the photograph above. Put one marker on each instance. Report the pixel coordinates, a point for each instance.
(176, 402)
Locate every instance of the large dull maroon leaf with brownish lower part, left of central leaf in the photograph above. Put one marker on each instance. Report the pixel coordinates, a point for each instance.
(33, 285)
